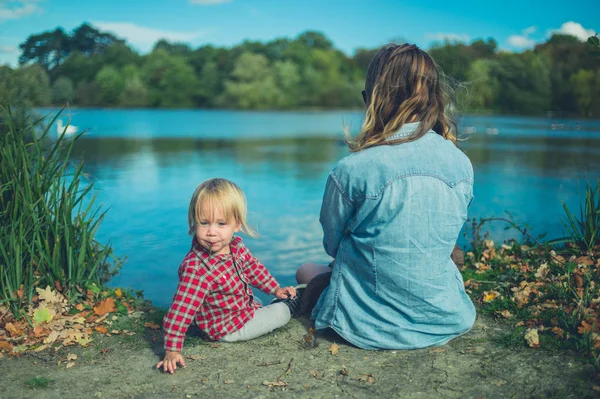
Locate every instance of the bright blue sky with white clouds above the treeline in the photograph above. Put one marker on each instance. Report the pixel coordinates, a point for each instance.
(350, 24)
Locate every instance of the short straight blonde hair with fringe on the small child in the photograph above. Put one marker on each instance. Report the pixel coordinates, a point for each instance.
(215, 193)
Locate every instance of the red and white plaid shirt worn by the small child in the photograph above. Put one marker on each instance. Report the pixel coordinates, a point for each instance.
(214, 290)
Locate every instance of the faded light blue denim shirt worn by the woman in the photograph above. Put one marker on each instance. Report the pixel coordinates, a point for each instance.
(391, 216)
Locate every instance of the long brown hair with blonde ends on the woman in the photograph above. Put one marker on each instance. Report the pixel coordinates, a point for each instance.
(403, 85)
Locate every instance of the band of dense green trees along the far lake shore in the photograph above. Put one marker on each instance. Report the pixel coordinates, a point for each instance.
(92, 68)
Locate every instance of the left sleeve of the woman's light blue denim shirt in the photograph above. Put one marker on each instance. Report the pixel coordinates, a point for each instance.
(336, 211)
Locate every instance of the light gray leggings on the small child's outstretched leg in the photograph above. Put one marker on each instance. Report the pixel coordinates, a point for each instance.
(265, 320)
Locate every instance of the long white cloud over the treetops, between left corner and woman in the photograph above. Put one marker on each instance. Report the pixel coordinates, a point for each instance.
(143, 37)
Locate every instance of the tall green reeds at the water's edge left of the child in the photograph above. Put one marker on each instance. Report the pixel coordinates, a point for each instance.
(48, 217)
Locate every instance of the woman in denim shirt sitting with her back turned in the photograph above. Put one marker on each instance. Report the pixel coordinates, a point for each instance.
(391, 214)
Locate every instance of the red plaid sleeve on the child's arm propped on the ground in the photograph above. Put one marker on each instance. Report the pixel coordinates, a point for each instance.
(188, 299)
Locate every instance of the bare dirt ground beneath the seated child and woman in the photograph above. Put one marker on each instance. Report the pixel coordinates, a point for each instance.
(480, 364)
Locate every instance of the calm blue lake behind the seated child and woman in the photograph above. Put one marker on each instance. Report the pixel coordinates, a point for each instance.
(146, 164)
